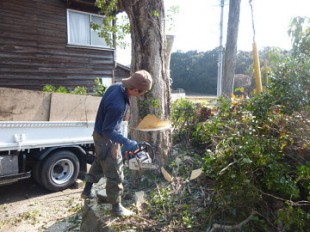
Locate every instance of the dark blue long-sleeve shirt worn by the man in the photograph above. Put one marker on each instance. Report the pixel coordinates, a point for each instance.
(111, 112)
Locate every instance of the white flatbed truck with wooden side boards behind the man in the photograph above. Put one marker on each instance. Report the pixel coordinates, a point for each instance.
(47, 136)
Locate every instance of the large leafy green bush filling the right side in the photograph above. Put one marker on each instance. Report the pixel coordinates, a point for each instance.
(257, 152)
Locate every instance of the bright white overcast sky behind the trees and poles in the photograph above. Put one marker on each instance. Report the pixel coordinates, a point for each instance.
(197, 25)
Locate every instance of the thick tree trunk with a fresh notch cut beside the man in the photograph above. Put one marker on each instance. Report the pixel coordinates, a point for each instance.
(149, 53)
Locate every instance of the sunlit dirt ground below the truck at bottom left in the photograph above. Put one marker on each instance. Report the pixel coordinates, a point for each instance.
(25, 206)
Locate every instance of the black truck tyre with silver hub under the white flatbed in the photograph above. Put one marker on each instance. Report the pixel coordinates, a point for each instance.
(59, 170)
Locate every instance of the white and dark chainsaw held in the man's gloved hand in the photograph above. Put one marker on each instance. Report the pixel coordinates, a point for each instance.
(142, 159)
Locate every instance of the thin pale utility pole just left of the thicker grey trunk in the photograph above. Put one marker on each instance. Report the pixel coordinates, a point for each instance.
(220, 57)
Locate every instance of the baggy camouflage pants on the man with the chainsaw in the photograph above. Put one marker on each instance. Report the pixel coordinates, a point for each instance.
(108, 163)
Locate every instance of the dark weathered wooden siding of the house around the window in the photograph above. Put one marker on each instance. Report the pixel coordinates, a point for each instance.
(34, 50)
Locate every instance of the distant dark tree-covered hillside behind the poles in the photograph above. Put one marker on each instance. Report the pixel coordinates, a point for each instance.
(196, 72)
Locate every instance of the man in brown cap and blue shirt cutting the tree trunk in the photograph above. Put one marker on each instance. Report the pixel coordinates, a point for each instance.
(107, 139)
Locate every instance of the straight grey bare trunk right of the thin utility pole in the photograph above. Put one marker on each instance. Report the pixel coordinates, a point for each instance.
(231, 47)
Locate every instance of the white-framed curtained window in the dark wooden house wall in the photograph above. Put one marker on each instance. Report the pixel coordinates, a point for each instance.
(80, 31)
